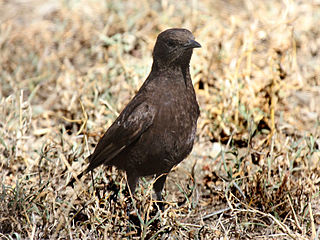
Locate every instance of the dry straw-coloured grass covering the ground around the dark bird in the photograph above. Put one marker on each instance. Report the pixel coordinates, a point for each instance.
(68, 67)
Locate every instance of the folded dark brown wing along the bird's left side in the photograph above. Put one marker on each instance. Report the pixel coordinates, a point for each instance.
(133, 121)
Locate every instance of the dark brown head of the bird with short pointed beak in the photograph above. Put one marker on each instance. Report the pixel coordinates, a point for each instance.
(174, 48)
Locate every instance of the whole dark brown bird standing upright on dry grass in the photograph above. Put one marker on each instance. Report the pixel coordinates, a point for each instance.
(156, 130)
